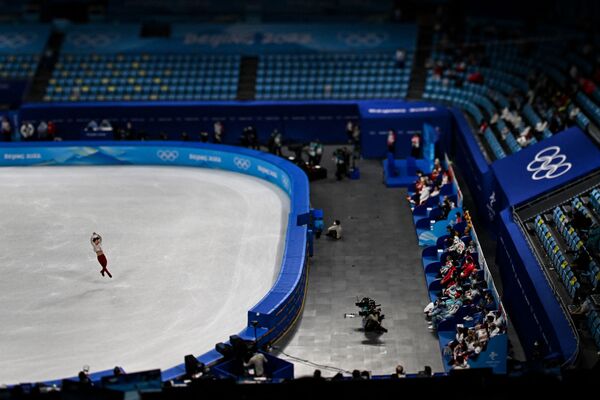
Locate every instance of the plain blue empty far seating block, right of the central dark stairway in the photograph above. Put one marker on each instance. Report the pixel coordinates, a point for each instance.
(331, 76)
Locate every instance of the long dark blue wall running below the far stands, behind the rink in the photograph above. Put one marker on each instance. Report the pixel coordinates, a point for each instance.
(297, 121)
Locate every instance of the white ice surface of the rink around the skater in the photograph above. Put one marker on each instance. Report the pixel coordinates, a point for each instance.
(190, 250)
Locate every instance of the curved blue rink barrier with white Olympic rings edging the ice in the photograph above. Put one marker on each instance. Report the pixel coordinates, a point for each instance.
(281, 306)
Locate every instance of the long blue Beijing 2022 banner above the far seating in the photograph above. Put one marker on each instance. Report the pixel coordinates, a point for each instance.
(247, 39)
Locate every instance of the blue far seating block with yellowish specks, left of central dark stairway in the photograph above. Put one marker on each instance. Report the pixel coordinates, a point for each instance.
(139, 77)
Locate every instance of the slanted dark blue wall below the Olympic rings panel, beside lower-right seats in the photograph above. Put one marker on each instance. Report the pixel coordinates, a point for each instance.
(528, 296)
